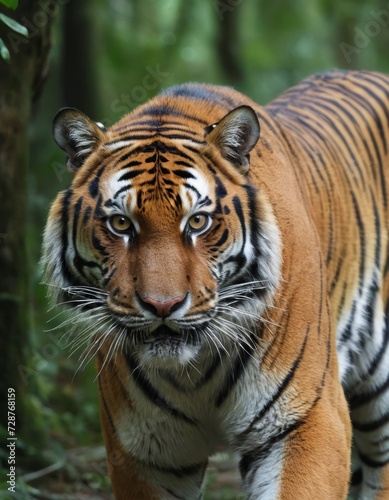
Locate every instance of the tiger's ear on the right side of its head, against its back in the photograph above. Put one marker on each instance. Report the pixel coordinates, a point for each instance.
(235, 136)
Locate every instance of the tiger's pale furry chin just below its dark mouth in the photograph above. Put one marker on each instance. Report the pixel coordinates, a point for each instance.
(165, 346)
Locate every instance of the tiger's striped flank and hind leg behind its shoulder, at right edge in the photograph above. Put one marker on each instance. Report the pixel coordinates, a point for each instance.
(337, 125)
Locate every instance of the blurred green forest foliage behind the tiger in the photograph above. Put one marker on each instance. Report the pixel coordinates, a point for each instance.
(140, 47)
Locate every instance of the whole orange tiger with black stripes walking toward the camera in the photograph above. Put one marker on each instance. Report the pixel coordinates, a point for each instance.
(227, 265)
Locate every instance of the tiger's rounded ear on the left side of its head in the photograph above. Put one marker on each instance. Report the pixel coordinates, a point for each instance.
(77, 134)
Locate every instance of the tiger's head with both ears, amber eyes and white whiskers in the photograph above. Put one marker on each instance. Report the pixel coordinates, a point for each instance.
(162, 245)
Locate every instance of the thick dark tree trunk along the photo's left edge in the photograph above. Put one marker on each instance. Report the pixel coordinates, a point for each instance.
(20, 83)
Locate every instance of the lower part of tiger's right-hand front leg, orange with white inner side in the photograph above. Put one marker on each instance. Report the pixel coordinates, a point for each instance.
(307, 460)
